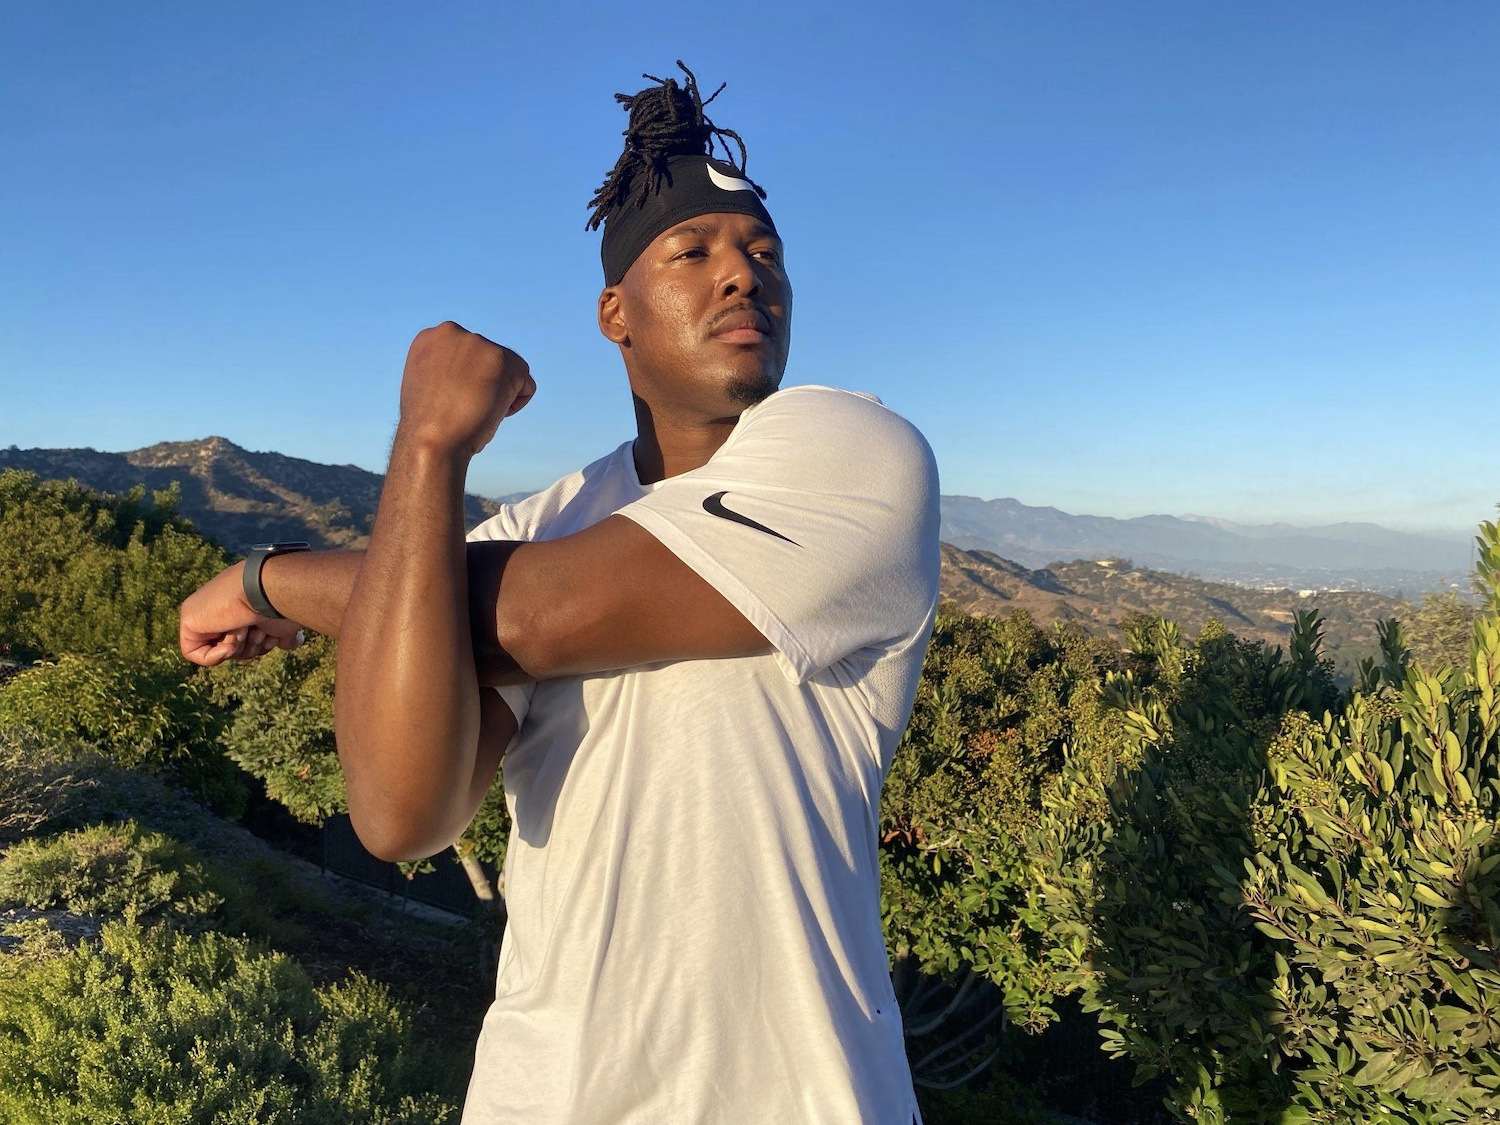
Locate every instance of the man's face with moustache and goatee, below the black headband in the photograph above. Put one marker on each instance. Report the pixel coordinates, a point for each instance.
(704, 316)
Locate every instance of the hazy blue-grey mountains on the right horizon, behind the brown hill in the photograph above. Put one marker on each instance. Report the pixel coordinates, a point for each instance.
(1342, 556)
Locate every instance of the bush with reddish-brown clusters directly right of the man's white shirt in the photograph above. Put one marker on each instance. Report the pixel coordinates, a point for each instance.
(998, 706)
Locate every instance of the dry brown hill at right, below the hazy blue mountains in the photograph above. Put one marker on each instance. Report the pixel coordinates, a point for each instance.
(1100, 595)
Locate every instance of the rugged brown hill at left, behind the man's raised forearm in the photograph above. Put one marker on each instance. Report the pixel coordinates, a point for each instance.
(235, 496)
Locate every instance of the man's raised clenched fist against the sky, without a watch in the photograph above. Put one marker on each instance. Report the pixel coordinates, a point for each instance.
(458, 386)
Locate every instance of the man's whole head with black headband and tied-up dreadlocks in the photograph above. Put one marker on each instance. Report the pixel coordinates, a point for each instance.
(695, 287)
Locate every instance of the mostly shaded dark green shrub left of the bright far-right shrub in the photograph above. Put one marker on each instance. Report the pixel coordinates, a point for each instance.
(1145, 922)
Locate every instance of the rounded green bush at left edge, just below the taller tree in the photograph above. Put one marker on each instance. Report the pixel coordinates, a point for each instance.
(143, 713)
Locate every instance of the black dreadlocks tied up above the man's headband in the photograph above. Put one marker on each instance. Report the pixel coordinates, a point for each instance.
(665, 121)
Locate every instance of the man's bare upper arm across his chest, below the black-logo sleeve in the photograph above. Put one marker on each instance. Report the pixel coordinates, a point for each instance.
(613, 596)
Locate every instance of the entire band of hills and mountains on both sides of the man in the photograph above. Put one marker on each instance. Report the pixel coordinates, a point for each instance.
(998, 556)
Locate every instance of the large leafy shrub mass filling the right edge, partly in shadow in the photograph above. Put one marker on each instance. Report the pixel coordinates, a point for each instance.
(1291, 907)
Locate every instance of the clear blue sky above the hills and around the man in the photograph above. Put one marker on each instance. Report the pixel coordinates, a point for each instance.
(1235, 260)
